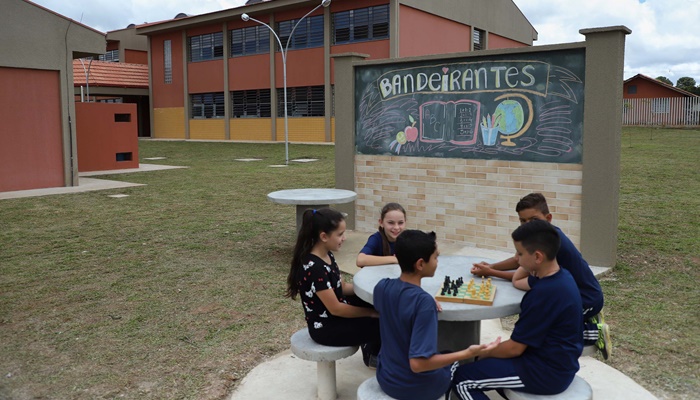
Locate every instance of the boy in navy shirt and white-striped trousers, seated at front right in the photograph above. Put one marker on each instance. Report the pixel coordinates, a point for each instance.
(542, 353)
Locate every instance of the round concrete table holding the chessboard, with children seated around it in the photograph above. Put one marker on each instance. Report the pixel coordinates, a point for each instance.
(459, 324)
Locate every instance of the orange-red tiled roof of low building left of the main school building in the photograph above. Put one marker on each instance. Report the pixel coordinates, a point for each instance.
(110, 74)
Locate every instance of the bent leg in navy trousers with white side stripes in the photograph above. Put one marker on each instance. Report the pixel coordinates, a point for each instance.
(471, 380)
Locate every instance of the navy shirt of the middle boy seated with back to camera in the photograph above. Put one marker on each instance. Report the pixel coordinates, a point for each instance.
(408, 327)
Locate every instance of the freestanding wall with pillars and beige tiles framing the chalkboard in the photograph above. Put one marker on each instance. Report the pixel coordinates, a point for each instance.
(472, 201)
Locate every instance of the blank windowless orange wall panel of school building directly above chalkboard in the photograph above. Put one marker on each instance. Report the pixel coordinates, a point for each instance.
(417, 37)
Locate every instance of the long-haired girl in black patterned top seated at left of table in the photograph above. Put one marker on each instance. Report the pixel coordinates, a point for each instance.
(334, 315)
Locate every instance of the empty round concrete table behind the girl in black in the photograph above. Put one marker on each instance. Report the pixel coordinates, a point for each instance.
(311, 198)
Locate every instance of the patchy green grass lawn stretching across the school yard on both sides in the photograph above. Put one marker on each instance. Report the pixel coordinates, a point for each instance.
(176, 290)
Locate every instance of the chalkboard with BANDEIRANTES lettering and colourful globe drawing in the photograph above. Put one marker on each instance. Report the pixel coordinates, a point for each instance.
(526, 107)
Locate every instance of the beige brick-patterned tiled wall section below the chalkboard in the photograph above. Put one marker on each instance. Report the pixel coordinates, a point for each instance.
(467, 201)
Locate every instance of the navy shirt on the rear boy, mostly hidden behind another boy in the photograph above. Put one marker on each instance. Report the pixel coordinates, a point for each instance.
(571, 259)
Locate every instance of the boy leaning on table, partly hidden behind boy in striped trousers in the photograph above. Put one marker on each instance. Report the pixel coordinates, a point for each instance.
(596, 331)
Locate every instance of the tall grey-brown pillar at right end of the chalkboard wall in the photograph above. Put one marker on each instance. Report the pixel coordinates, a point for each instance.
(602, 131)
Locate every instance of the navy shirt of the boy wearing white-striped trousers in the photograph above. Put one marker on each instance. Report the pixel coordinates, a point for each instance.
(550, 324)
